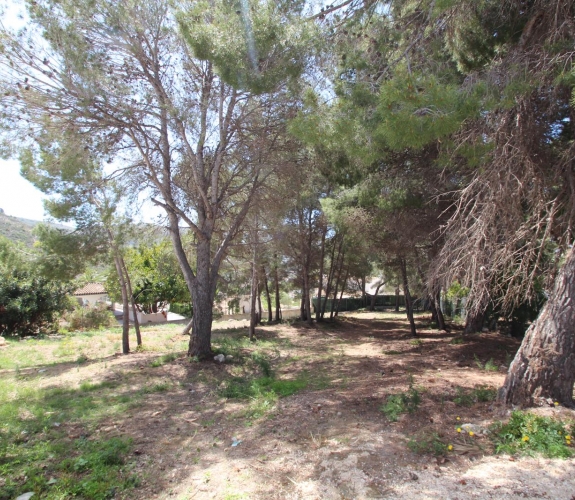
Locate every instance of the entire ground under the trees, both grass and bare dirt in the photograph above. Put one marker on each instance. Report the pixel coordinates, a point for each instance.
(295, 415)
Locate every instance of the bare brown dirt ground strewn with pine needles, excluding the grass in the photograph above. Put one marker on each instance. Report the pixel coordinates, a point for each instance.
(331, 442)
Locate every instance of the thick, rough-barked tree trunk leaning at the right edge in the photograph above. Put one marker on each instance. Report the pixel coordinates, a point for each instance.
(544, 366)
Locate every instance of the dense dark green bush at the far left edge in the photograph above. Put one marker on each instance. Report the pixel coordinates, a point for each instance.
(30, 304)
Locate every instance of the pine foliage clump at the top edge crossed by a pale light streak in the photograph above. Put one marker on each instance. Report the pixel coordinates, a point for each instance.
(255, 45)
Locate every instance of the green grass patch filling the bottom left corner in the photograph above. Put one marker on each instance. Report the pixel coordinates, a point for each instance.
(38, 454)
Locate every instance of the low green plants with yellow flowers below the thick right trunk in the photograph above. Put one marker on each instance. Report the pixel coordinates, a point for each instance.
(528, 434)
